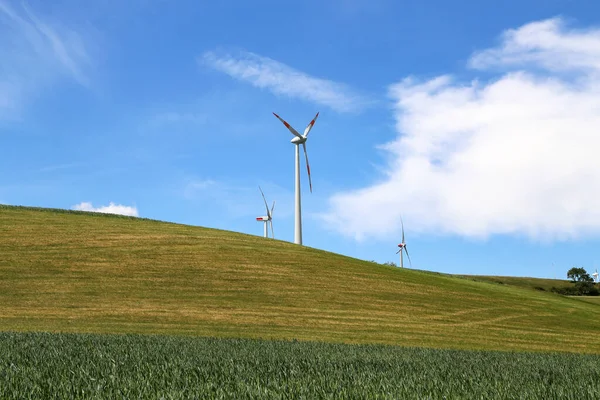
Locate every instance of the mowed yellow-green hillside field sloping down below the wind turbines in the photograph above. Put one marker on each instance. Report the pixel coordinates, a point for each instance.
(82, 272)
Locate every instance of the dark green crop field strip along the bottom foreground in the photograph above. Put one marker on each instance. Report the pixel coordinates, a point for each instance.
(69, 366)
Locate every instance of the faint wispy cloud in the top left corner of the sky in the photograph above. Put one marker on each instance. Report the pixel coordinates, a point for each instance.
(35, 52)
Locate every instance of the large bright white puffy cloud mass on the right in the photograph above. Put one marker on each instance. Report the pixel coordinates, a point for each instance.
(516, 155)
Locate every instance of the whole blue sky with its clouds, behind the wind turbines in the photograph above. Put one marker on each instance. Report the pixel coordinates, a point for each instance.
(475, 122)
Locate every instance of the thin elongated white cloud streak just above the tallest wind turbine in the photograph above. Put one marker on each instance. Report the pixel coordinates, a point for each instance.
(266, 73)
